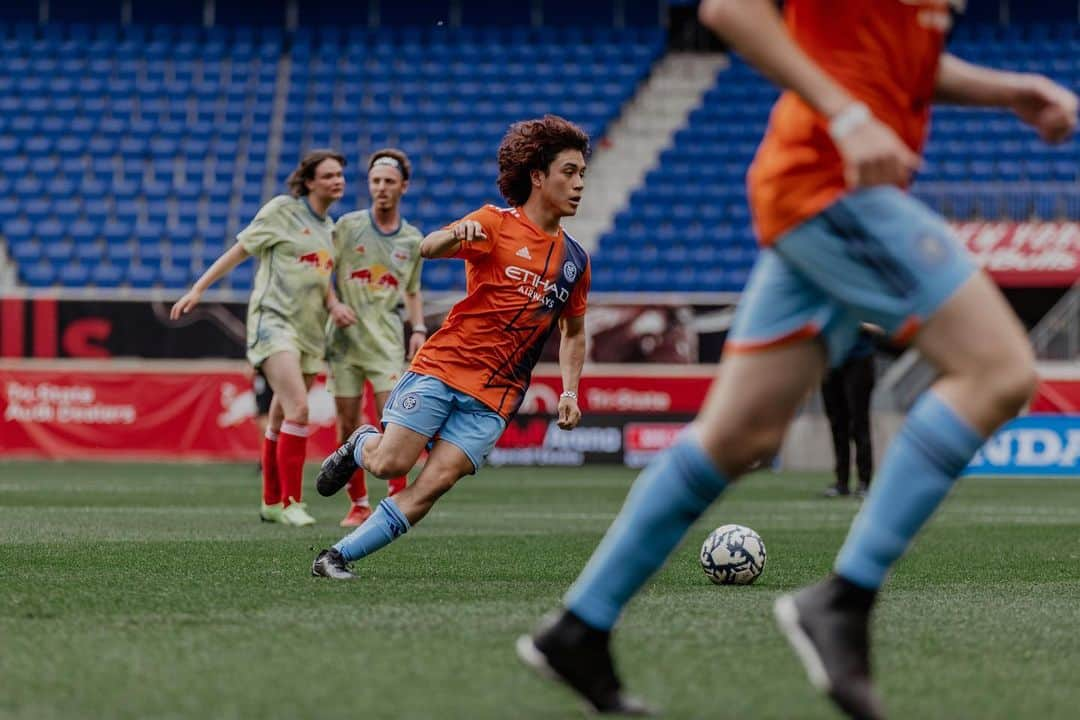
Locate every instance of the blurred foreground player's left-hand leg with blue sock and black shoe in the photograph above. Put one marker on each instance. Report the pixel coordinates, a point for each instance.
(744, 423)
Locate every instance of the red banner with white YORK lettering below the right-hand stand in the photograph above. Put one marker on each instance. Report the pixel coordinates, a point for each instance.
(1025, 254)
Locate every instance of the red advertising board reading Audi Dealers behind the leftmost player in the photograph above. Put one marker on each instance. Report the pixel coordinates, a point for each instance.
(133, 415)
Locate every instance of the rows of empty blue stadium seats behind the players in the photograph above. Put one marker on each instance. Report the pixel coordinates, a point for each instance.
(130, 157)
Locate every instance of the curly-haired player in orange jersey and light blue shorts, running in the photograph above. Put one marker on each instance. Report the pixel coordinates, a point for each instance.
(525, 278)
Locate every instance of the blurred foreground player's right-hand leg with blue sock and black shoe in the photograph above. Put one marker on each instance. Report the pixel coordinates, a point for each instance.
(988, 375)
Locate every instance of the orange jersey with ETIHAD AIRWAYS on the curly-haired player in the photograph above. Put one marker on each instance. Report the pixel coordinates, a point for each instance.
(520, 281)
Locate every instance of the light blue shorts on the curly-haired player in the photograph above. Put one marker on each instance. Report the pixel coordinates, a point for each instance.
(429, 406)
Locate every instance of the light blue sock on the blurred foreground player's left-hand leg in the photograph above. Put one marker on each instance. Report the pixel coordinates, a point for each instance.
(668, 497)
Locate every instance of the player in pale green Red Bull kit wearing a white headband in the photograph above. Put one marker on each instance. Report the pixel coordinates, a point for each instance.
(379, 267)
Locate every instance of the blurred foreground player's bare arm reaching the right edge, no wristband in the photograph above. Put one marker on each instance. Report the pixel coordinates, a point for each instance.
(1038, 101)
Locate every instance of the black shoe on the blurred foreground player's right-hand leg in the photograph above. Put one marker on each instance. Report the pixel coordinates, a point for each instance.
(828, 624)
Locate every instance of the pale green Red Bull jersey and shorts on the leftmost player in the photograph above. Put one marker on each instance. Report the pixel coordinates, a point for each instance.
(295, 249)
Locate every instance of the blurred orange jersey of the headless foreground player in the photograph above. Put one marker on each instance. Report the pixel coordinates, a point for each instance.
(886, 55)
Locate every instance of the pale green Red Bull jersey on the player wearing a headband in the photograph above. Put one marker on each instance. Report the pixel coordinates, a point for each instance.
(374, 269)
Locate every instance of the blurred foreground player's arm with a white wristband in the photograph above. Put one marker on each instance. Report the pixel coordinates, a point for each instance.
(873, 154)
